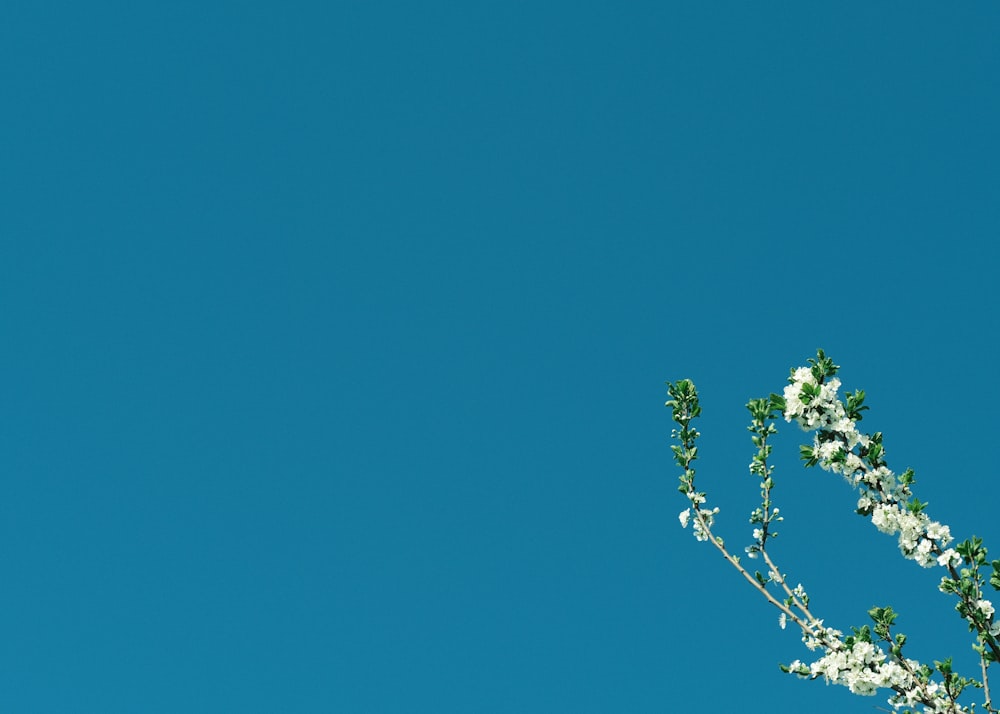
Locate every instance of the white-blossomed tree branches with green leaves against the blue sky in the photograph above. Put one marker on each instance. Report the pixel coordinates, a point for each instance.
(872, 657)
